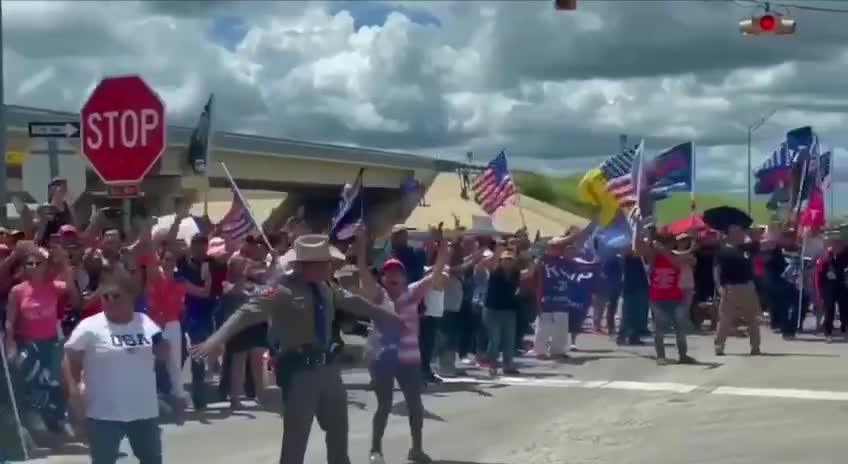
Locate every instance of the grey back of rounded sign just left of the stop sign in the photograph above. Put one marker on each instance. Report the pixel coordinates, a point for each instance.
(49, 161)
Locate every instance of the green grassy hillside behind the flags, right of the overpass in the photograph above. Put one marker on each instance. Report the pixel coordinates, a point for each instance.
(561, 191)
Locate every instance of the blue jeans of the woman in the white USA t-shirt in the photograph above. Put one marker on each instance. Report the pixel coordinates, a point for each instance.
(105, 438)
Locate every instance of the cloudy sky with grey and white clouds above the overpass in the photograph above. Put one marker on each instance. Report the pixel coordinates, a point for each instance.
(443, 78)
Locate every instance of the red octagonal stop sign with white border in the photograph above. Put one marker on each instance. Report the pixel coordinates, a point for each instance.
(122, 129)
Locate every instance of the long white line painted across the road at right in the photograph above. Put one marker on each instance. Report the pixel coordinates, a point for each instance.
(660, 387)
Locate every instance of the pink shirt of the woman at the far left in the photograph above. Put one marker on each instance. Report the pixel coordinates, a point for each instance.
(38, 308)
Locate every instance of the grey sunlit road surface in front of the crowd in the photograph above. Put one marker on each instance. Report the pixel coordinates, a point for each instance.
(605, 405)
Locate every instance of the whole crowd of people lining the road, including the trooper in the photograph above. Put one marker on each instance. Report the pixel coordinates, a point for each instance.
(99, 322)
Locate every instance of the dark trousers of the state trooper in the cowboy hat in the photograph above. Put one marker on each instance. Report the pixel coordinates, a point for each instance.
(314, 392)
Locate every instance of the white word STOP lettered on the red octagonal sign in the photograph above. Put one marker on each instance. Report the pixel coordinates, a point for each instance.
(133, 129)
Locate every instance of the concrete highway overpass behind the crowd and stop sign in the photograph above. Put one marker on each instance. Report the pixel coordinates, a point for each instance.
(311, 174)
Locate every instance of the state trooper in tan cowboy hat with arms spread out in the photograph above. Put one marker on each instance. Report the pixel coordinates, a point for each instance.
(300, 311)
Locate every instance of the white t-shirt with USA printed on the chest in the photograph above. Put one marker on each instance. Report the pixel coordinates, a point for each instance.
(118, 367)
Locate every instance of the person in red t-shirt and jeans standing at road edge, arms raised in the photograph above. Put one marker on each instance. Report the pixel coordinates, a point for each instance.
(666, 296)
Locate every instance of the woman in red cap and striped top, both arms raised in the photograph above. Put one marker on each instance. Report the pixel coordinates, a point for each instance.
(397, 355)
